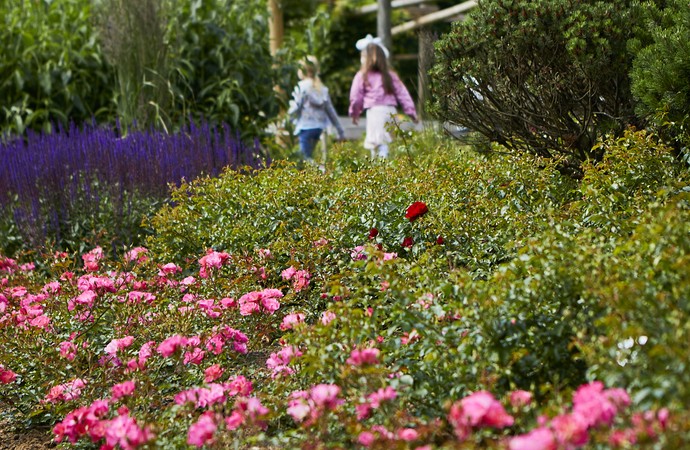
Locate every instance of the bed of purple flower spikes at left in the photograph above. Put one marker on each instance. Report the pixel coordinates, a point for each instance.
(48, 179)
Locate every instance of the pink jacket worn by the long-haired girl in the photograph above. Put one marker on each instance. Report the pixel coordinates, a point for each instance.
(364, 96)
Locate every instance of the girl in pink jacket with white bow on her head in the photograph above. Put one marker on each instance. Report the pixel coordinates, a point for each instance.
(378, 90)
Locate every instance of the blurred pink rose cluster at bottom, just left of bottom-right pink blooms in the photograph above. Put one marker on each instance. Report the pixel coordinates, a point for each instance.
(479, 409)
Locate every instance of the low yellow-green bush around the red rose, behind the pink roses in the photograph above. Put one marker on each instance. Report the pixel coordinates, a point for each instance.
(479, 210)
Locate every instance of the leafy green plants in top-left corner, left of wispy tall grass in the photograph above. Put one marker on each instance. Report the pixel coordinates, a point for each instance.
(52, 68)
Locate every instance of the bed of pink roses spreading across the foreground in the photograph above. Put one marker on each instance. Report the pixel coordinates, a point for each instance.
(235, 368)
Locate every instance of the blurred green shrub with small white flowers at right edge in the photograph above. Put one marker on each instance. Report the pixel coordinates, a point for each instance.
(645, 287)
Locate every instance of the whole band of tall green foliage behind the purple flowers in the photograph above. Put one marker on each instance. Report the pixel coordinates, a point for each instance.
(154, 63)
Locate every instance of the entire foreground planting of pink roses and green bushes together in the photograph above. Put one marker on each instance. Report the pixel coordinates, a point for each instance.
(466, 307)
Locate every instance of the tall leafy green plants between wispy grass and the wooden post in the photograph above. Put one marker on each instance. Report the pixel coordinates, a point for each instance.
(220, 64)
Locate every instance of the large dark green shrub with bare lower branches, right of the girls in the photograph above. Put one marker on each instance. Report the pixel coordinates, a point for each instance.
(546, 77)
